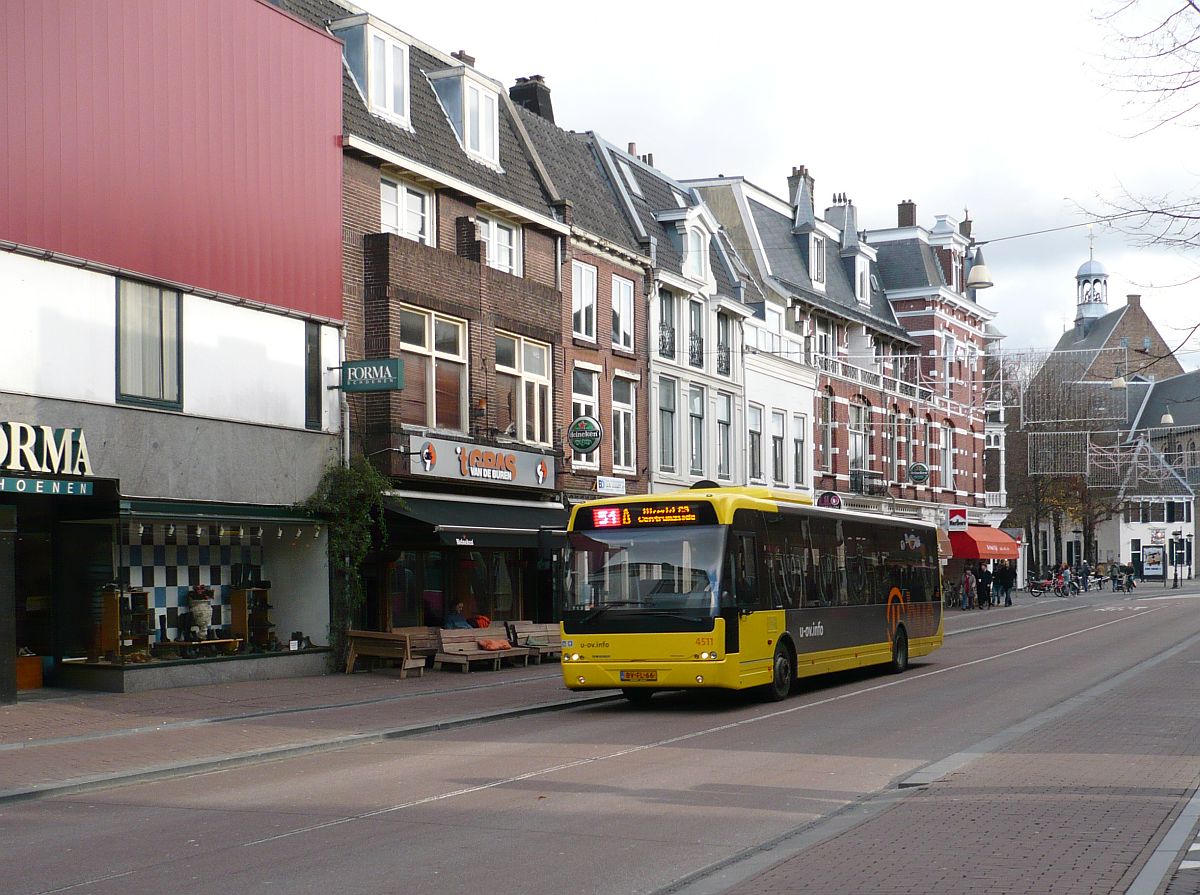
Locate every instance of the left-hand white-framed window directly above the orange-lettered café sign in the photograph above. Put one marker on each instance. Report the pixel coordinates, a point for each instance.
(434, 349)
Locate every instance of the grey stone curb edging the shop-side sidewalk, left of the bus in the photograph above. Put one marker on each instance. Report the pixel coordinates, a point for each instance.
(167, 772)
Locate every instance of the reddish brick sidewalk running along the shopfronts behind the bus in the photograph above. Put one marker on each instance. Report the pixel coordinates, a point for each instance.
(55, 742)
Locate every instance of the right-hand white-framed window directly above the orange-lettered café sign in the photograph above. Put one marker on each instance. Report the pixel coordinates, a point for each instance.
(524, 388)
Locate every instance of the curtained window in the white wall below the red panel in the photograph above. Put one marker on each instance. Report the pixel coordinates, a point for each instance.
(149, 345)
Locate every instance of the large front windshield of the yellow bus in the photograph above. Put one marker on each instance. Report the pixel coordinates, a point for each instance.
(674, 570)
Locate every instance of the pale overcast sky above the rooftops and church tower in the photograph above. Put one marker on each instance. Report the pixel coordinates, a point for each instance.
(1003, 110)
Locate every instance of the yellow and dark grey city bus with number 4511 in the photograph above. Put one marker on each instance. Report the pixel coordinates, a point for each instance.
(737, 588)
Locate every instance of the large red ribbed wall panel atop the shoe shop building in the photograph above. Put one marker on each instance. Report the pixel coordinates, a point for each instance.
(196, 142)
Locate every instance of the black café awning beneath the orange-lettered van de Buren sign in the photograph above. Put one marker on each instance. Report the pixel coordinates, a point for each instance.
(478, 522)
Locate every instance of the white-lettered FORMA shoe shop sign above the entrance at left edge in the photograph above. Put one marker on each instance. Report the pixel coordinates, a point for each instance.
(43, 450)
